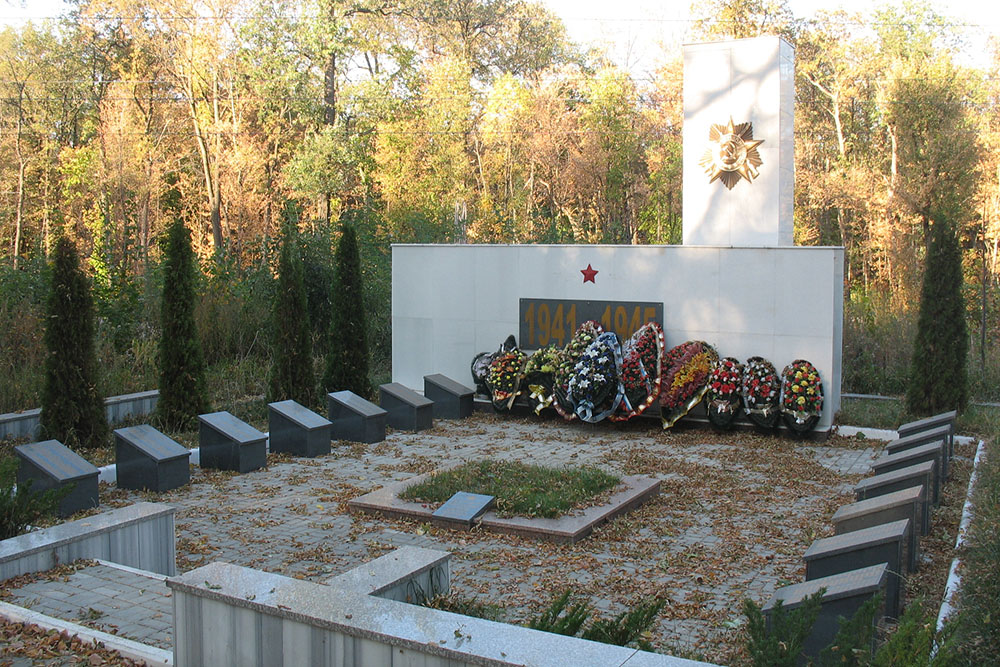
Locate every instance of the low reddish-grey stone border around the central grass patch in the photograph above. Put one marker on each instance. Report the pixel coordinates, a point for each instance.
(566, 529)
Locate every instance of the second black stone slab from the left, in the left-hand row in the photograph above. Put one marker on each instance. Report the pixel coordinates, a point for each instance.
(147, 459)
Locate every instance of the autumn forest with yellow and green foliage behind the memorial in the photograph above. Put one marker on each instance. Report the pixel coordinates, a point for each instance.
(455, 121)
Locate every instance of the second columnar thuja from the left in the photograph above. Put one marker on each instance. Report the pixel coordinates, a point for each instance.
(183, 393)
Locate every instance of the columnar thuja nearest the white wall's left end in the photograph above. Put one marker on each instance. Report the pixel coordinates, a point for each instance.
(347, 355)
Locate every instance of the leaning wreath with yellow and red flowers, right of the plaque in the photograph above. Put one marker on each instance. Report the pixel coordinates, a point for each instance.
(685, 379)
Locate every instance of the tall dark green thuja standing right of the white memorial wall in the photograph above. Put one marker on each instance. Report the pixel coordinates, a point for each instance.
(938, 376)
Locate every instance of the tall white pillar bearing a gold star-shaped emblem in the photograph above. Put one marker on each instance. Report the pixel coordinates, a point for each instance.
(739, 165)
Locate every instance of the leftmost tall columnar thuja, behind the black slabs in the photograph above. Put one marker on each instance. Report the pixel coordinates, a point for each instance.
(72, 409)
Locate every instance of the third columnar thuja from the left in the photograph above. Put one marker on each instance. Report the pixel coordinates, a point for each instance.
(291, 373)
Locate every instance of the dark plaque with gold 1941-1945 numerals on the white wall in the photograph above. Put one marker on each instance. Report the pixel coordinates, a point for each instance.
(553, 321)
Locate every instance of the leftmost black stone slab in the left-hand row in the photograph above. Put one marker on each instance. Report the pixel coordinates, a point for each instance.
(52, 465)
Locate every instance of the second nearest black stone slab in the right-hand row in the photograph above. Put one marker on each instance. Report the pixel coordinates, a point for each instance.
(885, 543)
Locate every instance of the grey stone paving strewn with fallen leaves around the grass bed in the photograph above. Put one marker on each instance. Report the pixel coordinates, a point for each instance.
(735, 513)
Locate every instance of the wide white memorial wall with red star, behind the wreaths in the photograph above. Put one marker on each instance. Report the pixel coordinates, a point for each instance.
(450, 302)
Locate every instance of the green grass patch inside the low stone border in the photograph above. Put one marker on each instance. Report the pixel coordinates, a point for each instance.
(520, 489)
